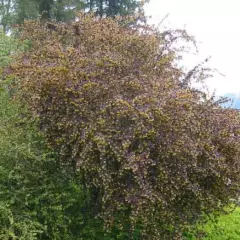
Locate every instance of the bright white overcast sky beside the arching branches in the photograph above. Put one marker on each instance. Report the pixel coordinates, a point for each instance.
(216, 27)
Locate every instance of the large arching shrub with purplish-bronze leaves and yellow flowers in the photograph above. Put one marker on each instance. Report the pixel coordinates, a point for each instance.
(113, 103)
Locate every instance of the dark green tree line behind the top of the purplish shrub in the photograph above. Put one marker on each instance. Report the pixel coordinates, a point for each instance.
(16, 11)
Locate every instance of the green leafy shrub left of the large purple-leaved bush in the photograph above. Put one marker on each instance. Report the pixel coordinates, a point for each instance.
(38, 200)
